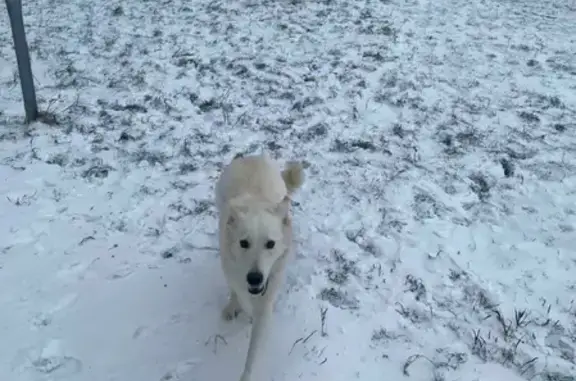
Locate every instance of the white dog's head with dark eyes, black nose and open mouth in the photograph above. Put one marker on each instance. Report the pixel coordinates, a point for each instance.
(257, 238)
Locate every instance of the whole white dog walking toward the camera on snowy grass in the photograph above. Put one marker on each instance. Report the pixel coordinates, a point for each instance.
(255, 229)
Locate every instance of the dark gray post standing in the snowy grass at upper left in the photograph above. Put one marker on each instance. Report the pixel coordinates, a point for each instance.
(23, 58)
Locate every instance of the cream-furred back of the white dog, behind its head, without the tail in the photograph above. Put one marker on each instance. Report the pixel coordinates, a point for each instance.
(256, 177)
